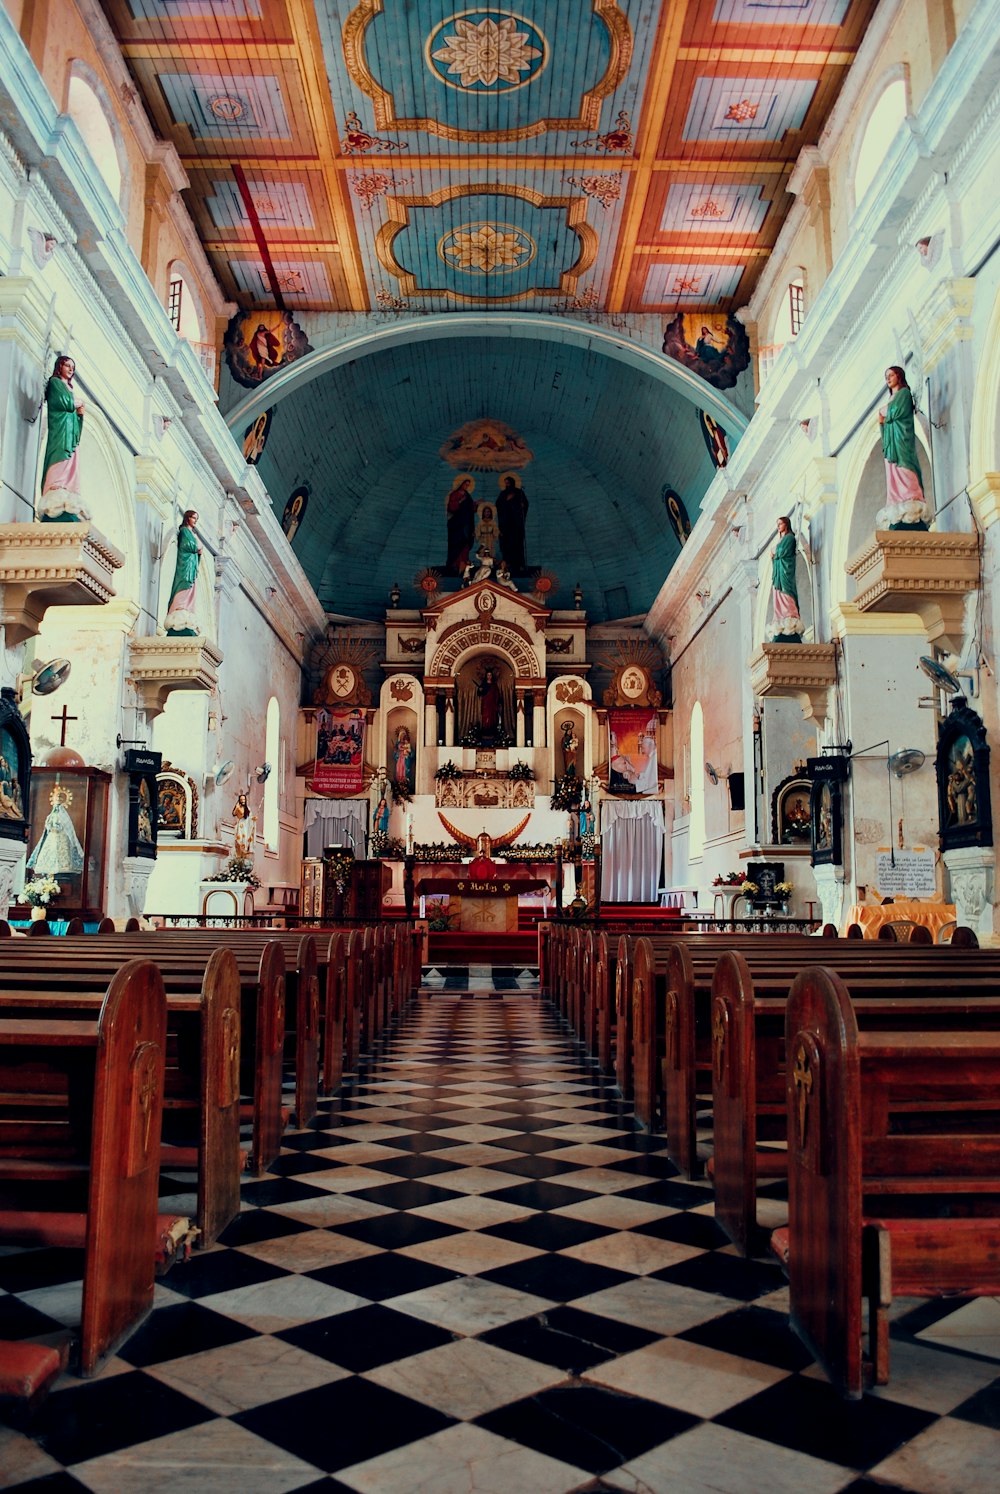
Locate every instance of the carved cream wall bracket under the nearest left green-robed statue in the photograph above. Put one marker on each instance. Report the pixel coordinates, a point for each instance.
(52, 565)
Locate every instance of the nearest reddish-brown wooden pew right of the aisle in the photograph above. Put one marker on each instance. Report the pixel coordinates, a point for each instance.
(895, 1174)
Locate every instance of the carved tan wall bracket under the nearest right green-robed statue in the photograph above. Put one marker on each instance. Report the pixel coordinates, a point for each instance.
(914, 571)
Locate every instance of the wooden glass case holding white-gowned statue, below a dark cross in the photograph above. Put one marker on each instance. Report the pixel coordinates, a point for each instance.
(70, 837)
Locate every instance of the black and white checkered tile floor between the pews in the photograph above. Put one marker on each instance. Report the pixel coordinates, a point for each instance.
(473, 1277)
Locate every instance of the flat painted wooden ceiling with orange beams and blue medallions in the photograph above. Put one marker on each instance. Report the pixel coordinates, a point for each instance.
(566, 155)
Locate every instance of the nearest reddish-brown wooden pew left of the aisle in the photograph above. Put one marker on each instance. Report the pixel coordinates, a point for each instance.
(81, 1103)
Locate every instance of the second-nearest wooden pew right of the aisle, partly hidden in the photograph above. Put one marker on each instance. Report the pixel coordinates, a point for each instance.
(750, 1079)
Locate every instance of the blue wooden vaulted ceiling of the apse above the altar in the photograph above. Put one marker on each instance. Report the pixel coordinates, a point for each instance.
(606, 440)
